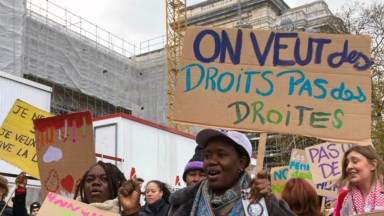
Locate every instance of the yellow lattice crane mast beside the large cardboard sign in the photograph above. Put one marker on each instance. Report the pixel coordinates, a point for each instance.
(176, 16)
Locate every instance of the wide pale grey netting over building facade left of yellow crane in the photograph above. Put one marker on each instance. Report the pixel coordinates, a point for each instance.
(55, 53)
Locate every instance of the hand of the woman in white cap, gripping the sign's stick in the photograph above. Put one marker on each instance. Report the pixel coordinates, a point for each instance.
(260, 187)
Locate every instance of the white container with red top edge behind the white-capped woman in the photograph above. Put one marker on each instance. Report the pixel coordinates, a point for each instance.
(149, 150)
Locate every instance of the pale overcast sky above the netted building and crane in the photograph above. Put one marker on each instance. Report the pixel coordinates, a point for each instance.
(138, 20)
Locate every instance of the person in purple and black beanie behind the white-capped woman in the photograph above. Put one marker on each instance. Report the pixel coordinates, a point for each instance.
(194, 171)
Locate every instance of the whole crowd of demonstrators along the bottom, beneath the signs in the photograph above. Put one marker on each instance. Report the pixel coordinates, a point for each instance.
(215, 177)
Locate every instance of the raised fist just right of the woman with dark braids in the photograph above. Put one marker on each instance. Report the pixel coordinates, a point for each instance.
(129, 195)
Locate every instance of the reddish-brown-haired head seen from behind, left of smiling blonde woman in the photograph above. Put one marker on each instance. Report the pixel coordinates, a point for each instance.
(301, 197)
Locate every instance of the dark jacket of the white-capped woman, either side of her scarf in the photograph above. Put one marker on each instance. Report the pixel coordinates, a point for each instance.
(182, 202)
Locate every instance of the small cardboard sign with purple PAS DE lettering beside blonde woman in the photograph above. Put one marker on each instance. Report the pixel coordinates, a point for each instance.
(325, 160)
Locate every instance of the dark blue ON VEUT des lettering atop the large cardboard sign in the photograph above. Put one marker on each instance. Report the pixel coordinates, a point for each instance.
(223, 45)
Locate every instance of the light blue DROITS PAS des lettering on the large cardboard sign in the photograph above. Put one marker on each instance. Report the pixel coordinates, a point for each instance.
(306, 86)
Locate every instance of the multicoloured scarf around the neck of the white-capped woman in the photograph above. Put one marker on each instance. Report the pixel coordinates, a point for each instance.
(206, 204)
